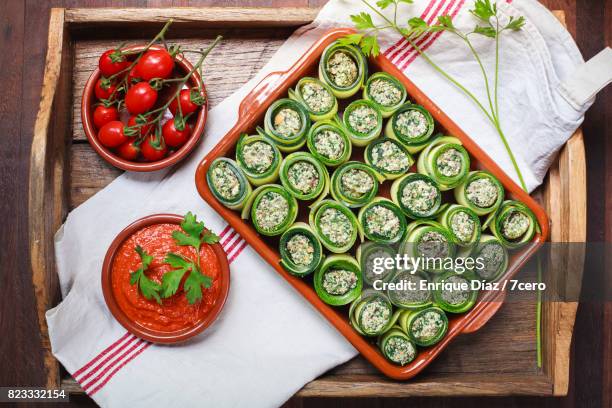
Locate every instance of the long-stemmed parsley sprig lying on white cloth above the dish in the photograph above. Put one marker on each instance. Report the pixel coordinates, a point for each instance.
(488, 25)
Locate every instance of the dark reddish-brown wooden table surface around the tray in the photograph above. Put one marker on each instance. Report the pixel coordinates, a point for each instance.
(23, 25)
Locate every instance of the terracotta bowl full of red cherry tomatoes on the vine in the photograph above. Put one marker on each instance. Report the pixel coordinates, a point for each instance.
(144, 108)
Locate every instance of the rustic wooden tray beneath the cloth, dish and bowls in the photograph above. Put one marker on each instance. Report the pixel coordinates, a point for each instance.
(65, 171)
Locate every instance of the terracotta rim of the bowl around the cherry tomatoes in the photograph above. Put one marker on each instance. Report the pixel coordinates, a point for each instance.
(182, 67)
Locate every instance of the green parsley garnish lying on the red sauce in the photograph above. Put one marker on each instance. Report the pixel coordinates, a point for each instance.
(194, 235)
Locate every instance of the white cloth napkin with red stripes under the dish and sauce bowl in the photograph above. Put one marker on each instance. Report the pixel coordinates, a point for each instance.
(268, 341)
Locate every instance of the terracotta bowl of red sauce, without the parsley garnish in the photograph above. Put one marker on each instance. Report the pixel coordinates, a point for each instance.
(172, 319)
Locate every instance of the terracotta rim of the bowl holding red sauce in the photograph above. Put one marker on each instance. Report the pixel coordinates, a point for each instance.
(130, 325)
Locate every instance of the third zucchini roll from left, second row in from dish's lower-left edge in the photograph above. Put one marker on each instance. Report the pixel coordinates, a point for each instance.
(335, 225)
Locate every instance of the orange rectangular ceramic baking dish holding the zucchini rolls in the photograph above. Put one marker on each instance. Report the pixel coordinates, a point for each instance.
(251, 112)
